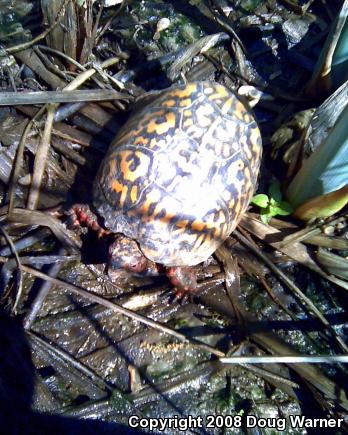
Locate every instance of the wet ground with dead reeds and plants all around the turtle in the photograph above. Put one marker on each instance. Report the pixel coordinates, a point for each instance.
(265, 335)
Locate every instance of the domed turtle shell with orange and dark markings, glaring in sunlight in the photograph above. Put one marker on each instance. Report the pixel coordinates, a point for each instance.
(180, 173)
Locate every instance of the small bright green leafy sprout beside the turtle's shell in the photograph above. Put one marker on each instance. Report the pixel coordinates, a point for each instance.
(272, 204)
